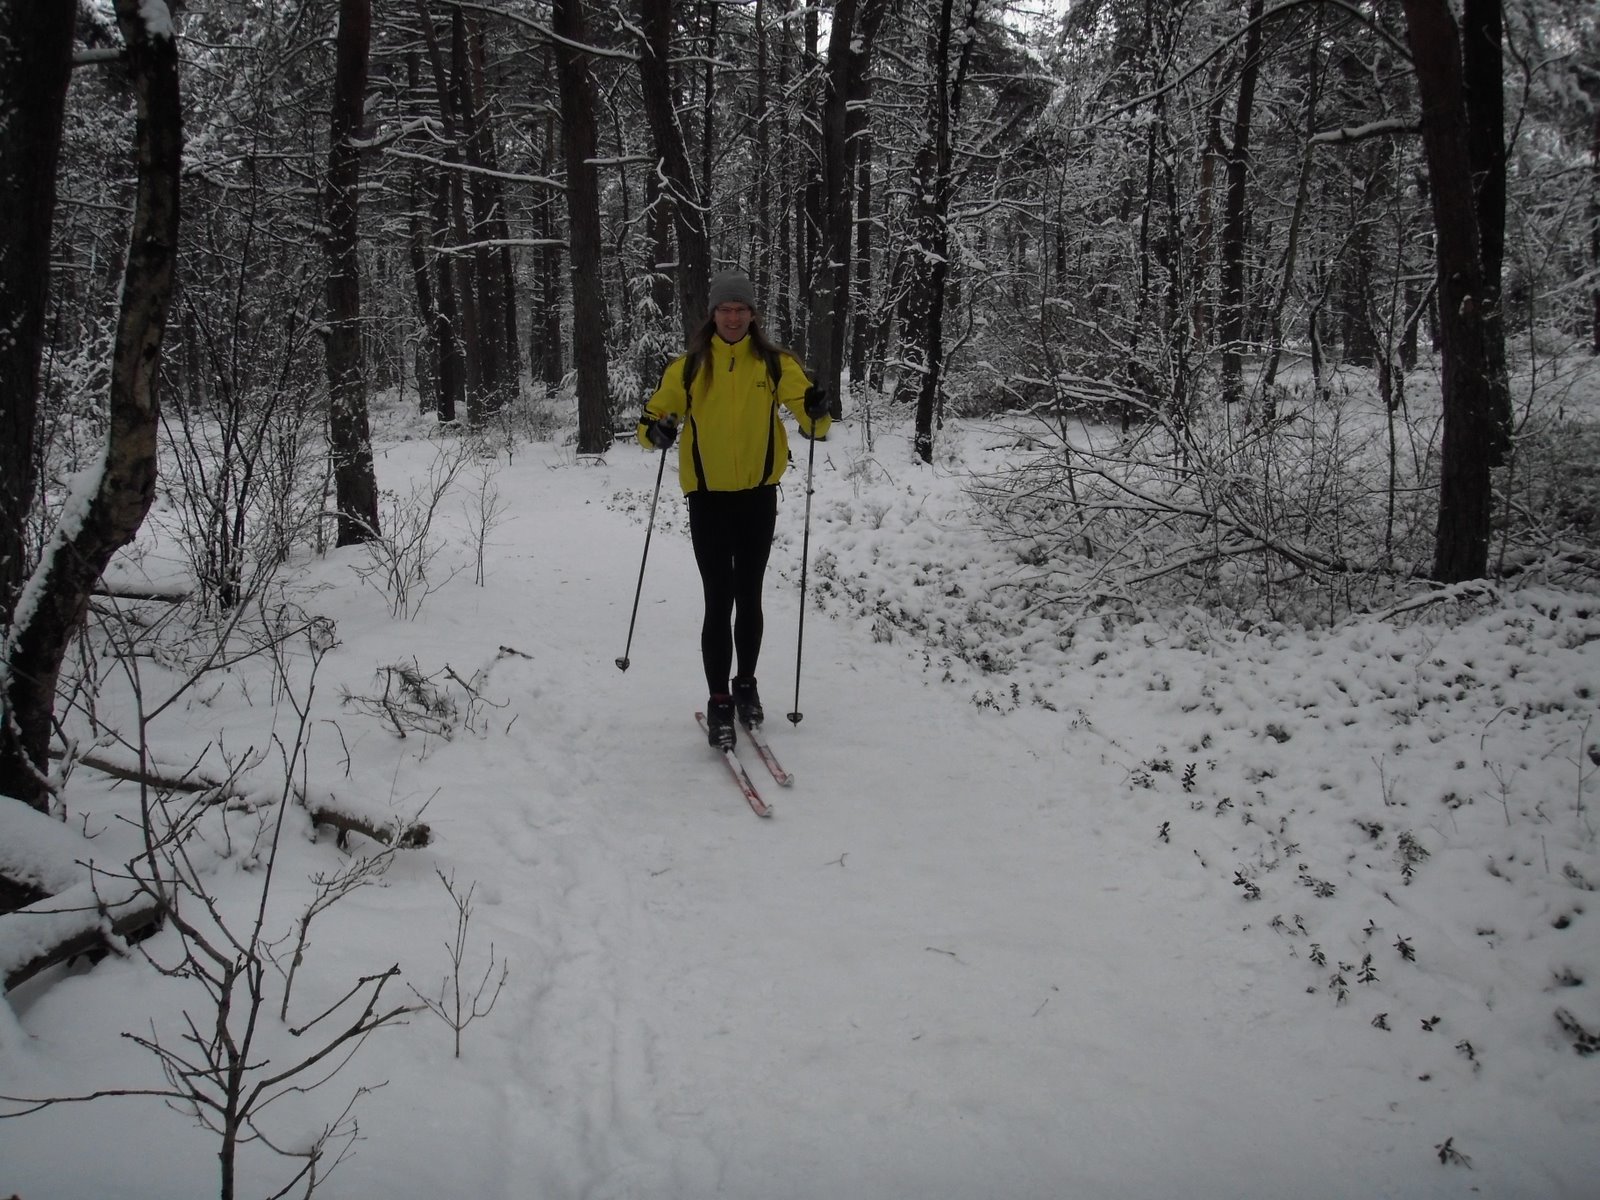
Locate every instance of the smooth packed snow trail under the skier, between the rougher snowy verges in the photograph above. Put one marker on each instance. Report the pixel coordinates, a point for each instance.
(934, 974)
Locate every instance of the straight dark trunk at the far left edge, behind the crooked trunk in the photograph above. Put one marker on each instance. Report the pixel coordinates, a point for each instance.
(36, 65)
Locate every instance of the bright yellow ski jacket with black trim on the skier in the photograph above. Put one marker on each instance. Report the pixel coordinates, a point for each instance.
(730, 436)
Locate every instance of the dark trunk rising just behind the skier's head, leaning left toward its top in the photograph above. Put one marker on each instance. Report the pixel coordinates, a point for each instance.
(684, 196)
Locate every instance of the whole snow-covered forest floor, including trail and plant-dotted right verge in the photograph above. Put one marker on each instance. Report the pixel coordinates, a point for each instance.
(1159, 910)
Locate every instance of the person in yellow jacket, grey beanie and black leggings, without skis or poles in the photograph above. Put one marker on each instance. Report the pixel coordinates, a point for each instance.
(726, 393)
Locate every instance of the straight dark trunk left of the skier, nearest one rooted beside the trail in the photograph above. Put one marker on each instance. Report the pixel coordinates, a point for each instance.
(580, 140)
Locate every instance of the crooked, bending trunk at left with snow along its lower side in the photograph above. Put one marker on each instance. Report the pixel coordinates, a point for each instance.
(114, 498)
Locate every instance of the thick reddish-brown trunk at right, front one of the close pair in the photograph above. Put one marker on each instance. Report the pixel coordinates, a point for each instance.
(1476, 423)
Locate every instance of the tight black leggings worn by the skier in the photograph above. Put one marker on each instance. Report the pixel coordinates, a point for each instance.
(734, 535)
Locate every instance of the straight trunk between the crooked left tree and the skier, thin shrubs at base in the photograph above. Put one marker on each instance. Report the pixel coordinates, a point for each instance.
(354, 484)
